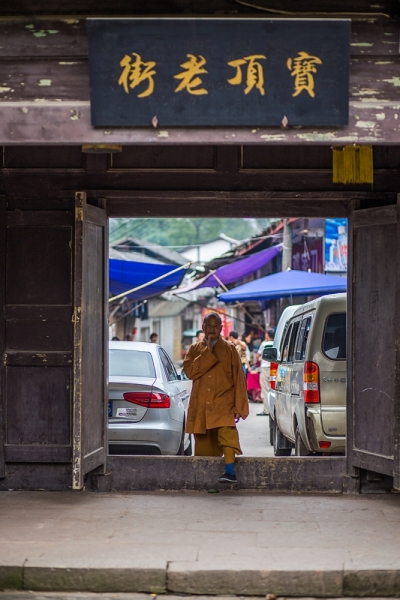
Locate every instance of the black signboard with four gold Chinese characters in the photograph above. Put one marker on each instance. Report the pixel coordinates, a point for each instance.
(219, 72)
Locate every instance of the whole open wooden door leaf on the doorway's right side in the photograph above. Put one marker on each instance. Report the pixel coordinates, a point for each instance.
(373, 300)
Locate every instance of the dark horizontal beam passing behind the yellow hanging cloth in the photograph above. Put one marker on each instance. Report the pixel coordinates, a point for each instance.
(37, 186)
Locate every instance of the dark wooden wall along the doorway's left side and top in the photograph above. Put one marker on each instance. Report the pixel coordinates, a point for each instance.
(36, 328)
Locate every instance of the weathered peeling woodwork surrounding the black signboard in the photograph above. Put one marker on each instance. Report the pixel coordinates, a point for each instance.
(44, 84)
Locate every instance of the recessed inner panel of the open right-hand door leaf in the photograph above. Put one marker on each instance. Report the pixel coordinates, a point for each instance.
(374, 360)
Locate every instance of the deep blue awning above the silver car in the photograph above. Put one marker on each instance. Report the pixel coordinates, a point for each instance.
(127, 274)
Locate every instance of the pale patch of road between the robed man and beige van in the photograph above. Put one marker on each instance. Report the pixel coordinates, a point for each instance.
(254, 433)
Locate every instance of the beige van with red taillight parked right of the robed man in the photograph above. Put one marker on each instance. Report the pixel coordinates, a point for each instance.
(310, 396)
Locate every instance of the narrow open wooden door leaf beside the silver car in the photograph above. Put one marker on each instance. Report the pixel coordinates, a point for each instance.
(90, 420)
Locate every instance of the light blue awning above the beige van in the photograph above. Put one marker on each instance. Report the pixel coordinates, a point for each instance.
(284, 284)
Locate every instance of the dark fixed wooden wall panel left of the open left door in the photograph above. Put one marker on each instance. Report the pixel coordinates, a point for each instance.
(37, 352)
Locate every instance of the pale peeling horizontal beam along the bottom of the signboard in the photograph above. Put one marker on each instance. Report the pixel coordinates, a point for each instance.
(50, 123)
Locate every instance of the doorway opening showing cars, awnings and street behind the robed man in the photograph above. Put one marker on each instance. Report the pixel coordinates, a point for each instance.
(167, 274)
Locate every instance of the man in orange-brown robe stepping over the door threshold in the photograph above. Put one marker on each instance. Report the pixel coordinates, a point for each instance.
(219, 396)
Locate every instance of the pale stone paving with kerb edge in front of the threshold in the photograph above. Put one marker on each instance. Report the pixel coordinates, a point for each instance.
(199, 543)
